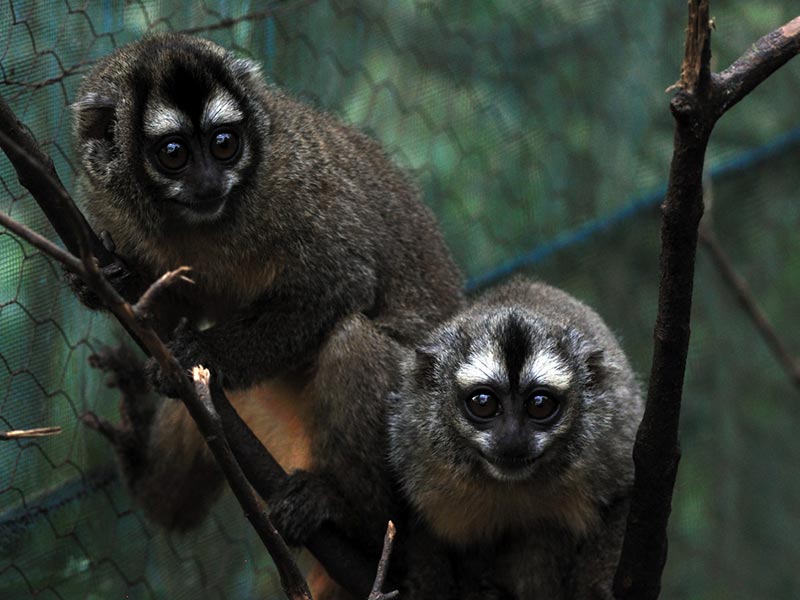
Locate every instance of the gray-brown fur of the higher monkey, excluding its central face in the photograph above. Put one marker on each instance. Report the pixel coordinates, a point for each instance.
(322, 262)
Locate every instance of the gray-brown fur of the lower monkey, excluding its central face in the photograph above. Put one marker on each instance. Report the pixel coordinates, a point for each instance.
(556, 531)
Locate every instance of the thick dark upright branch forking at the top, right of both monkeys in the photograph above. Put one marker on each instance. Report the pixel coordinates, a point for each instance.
(696, 107)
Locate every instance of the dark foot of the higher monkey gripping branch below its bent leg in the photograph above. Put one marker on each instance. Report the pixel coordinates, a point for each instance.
(300, 506)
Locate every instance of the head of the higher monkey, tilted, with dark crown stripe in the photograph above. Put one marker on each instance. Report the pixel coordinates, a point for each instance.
(169, 131)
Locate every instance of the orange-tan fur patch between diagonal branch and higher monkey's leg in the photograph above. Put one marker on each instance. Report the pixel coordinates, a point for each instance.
(277, 414)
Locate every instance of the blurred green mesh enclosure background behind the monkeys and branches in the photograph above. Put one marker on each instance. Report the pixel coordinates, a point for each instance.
(540, 134)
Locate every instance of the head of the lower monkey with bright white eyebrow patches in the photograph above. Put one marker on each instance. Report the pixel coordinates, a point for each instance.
(510, 388)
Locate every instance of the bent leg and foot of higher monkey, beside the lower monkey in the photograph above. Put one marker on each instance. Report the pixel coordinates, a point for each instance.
(348, 484)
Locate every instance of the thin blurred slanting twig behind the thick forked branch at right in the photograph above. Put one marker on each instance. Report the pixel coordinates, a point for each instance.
(747, 301)
